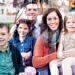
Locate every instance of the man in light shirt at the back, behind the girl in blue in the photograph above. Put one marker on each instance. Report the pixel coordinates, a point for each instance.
(32, 14)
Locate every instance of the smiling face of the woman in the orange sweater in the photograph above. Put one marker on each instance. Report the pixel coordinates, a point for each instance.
(53, 21)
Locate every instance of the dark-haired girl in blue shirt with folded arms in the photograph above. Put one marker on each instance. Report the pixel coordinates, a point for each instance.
(23, 41)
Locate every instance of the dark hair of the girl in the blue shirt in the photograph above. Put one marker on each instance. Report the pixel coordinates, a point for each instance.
(22, 21)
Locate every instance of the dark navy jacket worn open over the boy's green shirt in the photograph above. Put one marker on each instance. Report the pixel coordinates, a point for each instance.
(17, 59)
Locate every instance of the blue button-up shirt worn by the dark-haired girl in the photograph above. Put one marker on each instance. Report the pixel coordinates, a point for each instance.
(26, 46)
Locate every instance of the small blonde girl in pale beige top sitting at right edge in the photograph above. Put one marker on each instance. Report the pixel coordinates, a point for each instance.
(66, 50)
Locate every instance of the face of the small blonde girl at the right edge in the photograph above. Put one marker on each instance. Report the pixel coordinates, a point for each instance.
(70, 24)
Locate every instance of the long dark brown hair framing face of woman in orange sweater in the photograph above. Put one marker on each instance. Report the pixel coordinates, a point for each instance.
(44, 19)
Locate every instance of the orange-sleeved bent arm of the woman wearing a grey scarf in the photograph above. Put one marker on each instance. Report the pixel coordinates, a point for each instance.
(40, 60)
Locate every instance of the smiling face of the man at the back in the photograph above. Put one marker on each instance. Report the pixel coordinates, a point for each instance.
(32, 11)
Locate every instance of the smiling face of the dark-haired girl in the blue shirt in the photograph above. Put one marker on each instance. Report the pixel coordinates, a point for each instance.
(23, 30)
